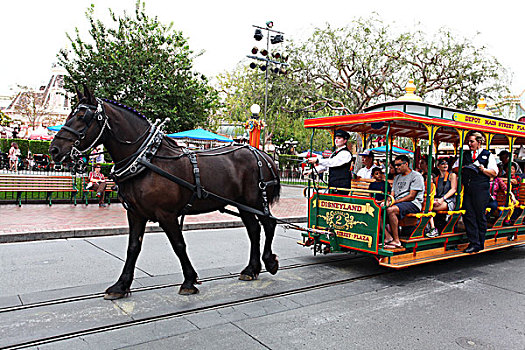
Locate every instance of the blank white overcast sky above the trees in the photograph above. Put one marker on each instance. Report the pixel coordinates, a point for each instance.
(33, 31)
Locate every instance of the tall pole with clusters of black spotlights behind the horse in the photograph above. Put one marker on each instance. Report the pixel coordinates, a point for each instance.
(275, 65)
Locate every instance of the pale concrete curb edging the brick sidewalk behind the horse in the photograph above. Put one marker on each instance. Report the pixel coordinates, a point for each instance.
(121, 230)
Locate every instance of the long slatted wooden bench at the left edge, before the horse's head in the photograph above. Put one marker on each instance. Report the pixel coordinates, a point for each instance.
(38, 183)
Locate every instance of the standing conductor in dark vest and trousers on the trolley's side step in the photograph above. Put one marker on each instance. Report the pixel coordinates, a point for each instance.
(479, 166)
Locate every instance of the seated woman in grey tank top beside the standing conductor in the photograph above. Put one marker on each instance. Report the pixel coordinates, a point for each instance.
(445, 198)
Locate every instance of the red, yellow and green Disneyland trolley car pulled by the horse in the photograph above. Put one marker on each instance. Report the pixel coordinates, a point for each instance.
(353, 222)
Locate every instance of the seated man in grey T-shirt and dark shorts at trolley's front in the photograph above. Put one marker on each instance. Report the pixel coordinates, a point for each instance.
(407, 191)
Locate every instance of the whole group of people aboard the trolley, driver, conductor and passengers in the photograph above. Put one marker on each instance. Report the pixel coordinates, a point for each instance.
(482, 179)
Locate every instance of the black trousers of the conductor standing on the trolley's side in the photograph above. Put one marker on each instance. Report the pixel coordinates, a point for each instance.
(475, 200)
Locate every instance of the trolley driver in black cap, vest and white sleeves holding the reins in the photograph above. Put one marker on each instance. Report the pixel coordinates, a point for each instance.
(338, 163)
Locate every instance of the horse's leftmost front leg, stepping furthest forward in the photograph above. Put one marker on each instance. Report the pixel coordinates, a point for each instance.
(121, 288)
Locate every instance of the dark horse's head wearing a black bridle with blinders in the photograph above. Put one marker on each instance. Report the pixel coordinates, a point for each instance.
(82, 131)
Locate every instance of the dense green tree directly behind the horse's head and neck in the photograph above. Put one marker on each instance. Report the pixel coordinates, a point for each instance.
(142, 63)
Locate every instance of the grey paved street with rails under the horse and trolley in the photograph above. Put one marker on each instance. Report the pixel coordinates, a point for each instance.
(476, 302)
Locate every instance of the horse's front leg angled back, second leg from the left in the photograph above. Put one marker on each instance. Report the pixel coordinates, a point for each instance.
(174, 233)
